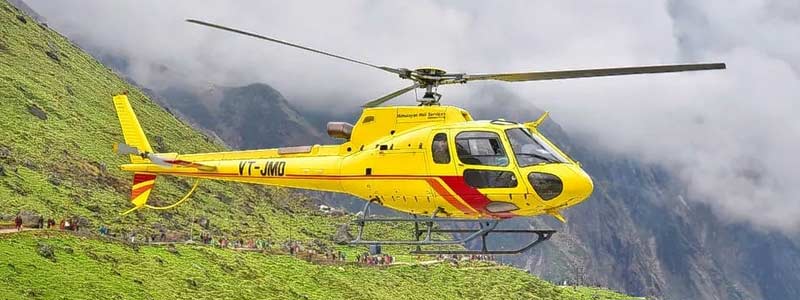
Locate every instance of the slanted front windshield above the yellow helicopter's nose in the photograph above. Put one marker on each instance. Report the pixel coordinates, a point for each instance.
(529, 150)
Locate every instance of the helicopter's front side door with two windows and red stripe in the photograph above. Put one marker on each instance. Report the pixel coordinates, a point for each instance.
(483, 161)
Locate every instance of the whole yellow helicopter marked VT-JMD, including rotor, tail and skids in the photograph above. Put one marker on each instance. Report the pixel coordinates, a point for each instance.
(432, 161)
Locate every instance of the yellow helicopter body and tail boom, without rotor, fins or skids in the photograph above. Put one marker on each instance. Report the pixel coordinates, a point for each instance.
(416, 159)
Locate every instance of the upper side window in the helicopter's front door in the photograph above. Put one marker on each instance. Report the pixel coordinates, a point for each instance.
(480, 148)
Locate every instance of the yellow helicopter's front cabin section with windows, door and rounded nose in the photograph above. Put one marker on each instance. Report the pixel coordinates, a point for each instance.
(505, 160)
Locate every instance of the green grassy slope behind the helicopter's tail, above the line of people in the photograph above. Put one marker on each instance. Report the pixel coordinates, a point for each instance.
(60, 163)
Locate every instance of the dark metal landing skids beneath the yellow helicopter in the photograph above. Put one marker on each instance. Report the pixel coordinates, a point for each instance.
(424, 236)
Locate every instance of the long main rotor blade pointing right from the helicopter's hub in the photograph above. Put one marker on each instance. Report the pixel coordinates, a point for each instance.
(566, 74)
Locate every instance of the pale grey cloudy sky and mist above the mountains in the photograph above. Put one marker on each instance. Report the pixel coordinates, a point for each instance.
(731, 136)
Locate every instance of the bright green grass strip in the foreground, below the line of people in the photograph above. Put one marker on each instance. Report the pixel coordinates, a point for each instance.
(89, 268)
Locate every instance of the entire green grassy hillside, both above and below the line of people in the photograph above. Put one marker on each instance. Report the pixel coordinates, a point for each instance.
(57, 125)
